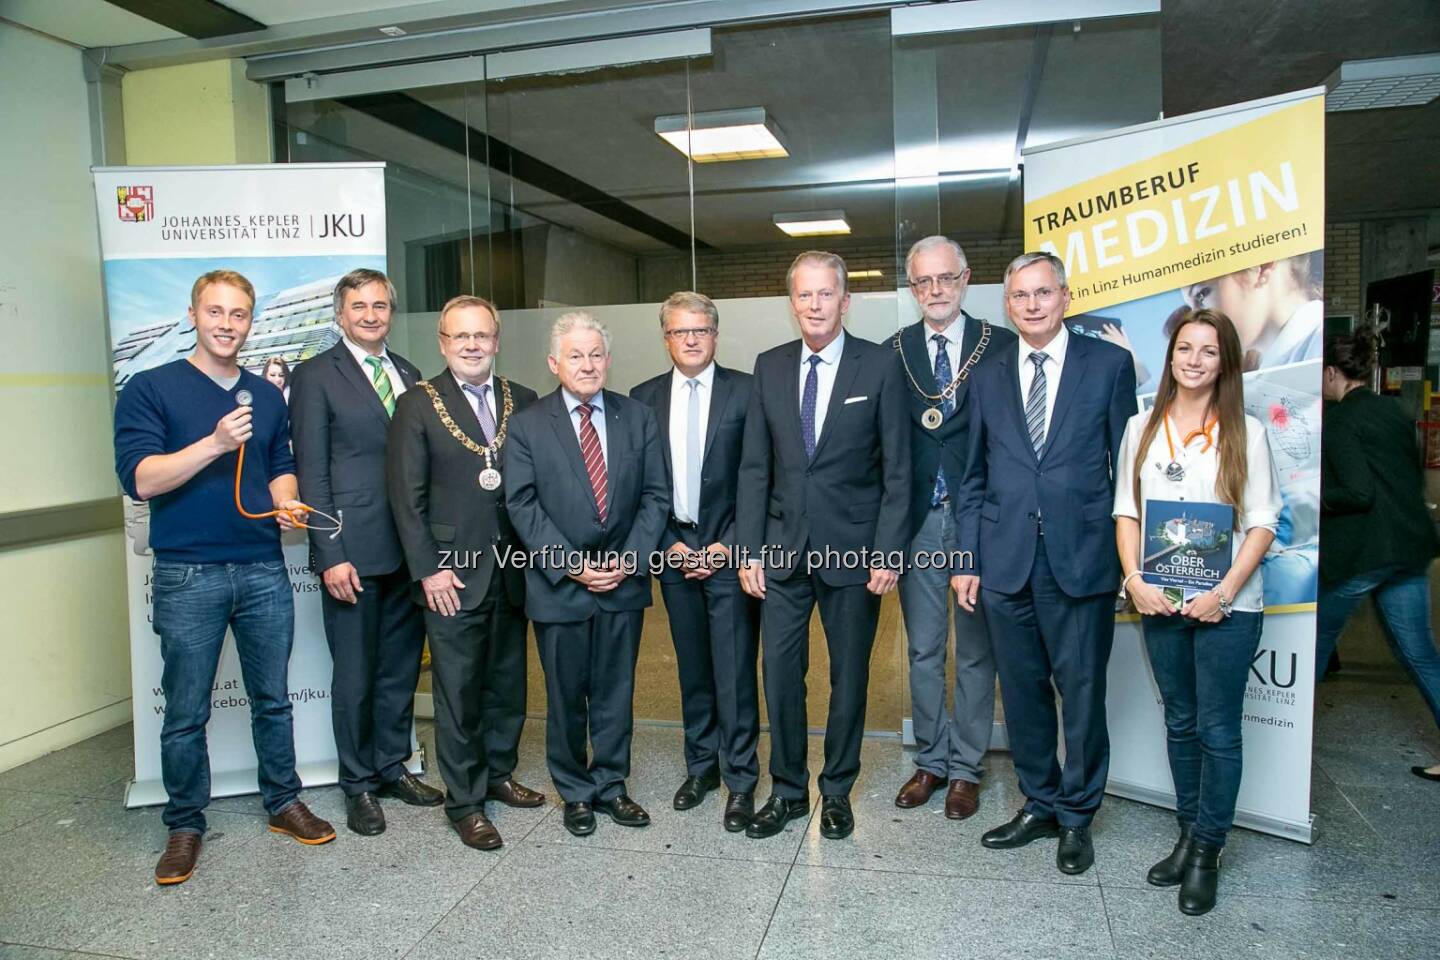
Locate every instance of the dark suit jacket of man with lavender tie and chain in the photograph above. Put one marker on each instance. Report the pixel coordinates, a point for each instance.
(444, 516)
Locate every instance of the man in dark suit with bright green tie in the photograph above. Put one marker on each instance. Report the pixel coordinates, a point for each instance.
(341, 409)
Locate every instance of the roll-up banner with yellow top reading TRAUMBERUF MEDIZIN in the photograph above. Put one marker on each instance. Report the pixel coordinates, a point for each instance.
(1223, 209)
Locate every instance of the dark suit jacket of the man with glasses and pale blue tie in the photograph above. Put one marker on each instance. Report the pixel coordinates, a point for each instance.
(721, 458)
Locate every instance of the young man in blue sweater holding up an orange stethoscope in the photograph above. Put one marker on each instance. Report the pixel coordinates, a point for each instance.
(178, 434)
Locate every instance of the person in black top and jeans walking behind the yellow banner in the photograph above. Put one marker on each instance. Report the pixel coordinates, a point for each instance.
(1379, 536)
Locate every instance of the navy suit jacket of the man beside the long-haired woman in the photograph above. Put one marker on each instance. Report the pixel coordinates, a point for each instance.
(1071, 484)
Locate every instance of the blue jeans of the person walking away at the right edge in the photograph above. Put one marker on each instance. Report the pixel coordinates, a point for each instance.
(1403, 599)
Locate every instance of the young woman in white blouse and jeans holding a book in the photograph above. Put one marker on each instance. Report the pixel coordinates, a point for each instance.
(1197, 445)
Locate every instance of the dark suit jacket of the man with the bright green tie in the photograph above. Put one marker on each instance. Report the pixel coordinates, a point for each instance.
(339, 433)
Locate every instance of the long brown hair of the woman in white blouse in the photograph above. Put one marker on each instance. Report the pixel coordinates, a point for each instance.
(1226, 401)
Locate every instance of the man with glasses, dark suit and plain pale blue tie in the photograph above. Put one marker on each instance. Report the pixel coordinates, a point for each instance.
(716, 627)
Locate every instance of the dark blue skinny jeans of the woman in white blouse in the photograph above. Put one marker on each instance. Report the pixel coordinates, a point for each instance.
(1202, 670)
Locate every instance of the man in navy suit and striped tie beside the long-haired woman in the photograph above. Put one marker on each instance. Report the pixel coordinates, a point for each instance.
(1035, 512)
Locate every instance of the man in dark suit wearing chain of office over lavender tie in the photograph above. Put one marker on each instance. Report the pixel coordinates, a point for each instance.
(447, 477)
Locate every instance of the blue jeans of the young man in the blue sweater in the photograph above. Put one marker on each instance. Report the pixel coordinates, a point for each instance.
(194, 605)
